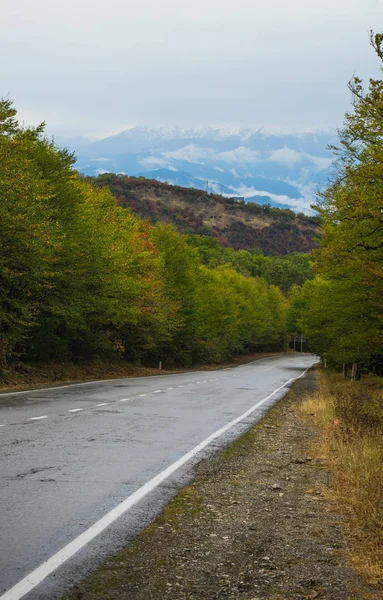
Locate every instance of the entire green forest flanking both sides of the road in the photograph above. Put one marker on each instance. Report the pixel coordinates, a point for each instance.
(83, 277)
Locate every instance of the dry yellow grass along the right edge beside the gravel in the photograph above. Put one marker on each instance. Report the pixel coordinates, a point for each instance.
(350, 419)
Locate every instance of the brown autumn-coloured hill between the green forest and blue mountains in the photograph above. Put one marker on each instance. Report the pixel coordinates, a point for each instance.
(233, 222)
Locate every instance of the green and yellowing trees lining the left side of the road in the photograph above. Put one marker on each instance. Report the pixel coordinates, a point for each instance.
(82, 277)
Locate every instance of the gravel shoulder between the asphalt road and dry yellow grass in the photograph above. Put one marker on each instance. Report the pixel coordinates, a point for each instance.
(253, 525)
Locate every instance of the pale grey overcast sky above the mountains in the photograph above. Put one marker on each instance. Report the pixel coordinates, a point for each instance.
(97, 67)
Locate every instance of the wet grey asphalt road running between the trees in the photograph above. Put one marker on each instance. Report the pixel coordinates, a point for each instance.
(71, 455)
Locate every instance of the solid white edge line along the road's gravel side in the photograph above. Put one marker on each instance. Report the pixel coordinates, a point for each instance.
(34, 578)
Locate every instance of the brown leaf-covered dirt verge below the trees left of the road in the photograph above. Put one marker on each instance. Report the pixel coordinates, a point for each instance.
(21, 376)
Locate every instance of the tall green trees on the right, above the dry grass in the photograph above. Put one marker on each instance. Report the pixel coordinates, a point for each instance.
(341, 310)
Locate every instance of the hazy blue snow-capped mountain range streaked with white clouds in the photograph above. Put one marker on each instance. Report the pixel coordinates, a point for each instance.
(280, 169)
